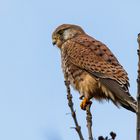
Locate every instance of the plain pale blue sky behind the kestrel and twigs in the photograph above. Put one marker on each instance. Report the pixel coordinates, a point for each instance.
(33, 104)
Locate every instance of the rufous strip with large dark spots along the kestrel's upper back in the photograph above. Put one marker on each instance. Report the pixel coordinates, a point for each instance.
(103, 52)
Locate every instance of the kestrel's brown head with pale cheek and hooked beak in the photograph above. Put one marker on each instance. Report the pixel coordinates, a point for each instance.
(65, 32)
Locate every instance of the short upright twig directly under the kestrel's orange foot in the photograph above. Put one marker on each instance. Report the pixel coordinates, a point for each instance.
(89, 121)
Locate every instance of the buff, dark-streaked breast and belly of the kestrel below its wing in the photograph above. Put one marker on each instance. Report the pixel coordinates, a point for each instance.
(80, 79)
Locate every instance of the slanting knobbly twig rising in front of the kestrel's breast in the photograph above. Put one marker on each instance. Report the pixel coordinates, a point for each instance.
(70, 103)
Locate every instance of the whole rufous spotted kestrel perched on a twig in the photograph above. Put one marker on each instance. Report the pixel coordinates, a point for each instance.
(91, 68)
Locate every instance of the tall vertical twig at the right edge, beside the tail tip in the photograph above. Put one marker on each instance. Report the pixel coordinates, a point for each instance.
(138, 92)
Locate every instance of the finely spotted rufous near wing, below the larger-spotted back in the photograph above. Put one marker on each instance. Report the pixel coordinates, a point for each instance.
(85, 58)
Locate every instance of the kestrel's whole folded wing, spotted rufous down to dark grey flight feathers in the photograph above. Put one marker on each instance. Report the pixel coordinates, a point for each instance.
(110, 73)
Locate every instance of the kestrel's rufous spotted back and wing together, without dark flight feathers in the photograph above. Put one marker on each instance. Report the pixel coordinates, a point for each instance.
(97, 59)
